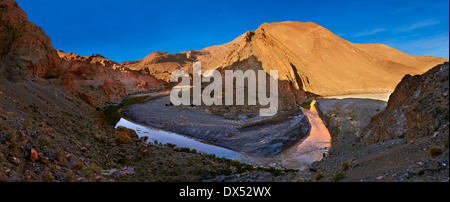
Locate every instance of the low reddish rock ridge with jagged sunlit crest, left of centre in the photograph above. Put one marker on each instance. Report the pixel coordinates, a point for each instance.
(100, 81)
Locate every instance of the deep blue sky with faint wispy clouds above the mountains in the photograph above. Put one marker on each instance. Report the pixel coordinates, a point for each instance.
(130, 30)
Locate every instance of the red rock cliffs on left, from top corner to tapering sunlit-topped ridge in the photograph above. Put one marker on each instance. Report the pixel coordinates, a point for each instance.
(25, 50)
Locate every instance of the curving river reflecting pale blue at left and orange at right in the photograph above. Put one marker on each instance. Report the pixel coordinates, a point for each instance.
(299, 156)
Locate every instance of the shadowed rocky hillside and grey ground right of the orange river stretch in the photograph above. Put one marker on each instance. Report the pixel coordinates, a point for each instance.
(407, 141)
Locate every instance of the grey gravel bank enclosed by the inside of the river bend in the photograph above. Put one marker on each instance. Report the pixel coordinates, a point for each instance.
(250, 134)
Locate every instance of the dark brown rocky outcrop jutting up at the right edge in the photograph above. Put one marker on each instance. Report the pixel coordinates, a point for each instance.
(418, 107)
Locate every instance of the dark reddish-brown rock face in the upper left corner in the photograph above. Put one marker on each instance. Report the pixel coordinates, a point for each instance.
(25, 50)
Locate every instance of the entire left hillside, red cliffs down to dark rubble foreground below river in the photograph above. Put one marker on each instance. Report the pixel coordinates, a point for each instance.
(50, 131)
